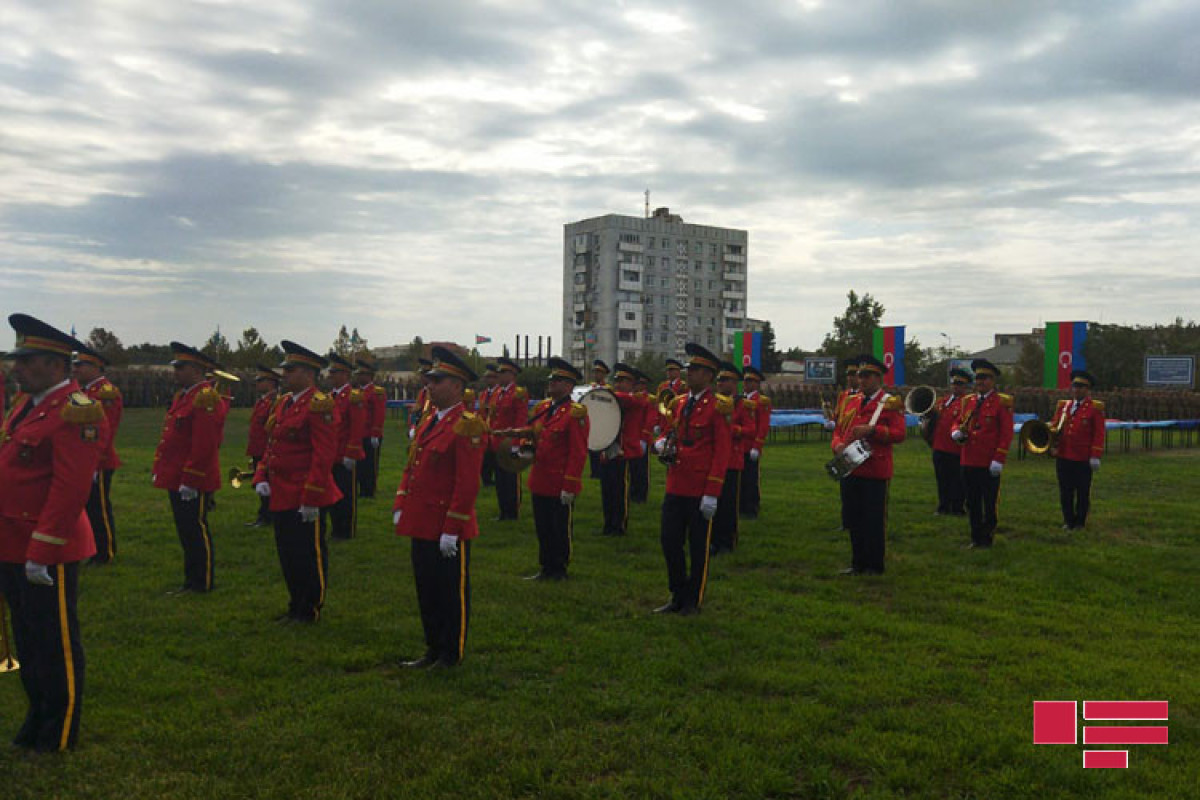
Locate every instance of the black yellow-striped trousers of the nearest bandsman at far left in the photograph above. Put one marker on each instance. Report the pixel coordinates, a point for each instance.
(46, 637)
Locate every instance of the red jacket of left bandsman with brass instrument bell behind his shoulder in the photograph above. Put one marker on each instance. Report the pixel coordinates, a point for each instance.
(191, 438)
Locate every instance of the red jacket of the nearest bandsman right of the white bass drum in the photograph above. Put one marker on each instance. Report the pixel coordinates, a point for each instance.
(704, 440)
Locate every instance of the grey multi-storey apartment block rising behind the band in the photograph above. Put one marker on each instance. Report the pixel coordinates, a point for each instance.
(634, 286)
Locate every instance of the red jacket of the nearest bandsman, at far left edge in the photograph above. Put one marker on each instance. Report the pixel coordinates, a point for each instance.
(46, 468)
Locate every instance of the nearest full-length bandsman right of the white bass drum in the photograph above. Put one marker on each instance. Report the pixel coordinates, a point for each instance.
(698, 436)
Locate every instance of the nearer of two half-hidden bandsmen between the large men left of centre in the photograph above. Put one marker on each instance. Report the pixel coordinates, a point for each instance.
(352, 429)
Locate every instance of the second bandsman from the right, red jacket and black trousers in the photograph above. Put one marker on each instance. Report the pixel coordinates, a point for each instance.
(985, 430)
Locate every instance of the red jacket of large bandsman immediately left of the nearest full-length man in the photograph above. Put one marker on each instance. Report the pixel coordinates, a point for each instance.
(301, 453)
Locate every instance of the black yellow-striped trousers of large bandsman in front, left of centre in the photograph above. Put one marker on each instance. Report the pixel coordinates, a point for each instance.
(443, 596)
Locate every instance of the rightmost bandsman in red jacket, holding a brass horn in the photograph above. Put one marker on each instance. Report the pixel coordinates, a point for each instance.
(1079, 448)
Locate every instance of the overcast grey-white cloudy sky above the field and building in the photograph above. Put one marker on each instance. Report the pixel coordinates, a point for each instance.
(407, 167)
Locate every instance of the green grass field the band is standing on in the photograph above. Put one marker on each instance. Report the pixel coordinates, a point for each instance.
(794, 682)
